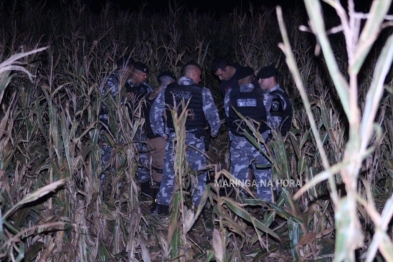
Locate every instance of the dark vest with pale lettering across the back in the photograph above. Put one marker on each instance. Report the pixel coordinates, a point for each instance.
(250, 105)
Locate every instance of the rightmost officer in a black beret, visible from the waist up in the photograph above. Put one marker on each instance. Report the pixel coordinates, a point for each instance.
(278, 105)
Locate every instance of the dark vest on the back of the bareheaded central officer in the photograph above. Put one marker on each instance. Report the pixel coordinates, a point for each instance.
(193, 93)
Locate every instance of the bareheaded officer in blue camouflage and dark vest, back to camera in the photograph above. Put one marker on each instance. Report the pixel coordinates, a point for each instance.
(204, 110)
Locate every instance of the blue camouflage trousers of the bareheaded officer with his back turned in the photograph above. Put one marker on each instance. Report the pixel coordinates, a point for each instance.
(196, 161)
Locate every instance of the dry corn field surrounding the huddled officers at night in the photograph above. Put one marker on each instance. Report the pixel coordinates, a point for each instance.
(336, 67)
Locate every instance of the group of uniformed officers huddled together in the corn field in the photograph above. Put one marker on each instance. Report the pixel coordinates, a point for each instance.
(258, 98)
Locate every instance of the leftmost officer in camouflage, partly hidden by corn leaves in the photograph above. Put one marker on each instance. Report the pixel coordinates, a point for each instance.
(117, 79)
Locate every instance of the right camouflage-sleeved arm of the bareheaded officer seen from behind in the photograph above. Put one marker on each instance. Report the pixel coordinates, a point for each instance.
(211, 112)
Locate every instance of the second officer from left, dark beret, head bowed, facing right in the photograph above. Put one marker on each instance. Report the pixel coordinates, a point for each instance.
(136, 89)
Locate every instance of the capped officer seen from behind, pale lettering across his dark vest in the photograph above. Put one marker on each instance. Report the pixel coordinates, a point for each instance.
(248, 100)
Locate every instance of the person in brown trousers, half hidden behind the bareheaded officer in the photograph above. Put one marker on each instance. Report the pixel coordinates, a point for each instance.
(155, 142)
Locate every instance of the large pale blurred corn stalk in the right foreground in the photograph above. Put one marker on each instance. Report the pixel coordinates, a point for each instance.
(361, 129)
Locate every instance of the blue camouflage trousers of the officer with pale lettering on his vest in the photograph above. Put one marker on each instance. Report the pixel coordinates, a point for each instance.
(243, 153)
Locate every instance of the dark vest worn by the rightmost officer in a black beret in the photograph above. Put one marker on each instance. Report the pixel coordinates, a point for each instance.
(277, 109)
